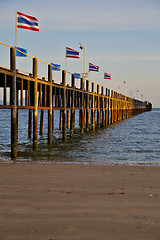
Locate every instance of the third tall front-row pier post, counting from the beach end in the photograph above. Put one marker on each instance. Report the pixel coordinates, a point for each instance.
(50, 105)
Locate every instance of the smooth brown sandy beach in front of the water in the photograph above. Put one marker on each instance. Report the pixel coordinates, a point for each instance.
(79, 202)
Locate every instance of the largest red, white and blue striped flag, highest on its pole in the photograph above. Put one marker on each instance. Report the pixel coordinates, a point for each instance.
(27, 22)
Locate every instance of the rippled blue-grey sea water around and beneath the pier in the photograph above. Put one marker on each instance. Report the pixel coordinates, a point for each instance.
(133, 141)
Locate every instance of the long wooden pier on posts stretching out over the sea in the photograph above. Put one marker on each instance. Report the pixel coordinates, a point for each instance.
(98, 106)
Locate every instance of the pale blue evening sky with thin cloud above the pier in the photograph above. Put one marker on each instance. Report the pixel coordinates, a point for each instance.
(121, 36)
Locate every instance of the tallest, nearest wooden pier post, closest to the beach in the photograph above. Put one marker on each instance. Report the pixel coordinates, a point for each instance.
(13, 103)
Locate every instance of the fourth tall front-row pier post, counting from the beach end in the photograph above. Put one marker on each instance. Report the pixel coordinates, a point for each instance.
(64, 105)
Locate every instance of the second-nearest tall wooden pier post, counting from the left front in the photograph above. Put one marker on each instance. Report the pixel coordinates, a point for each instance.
(35, 111)
